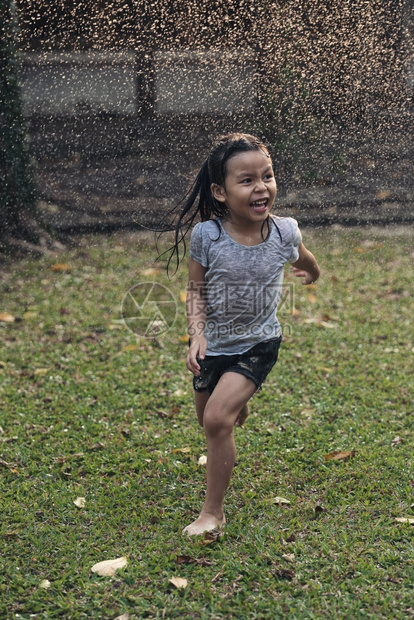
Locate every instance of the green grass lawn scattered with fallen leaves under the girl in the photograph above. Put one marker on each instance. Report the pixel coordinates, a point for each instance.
(90, 410)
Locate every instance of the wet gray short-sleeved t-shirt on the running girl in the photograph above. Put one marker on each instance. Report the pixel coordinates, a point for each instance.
(243, 283)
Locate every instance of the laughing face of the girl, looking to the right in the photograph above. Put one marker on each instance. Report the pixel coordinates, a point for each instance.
(249, 188)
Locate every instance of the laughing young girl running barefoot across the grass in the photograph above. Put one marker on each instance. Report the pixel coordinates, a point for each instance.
(236, 268)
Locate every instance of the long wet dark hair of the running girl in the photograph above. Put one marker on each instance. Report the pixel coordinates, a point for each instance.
(214, 170)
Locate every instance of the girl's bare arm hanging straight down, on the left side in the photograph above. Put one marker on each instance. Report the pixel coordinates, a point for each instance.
(196, 315)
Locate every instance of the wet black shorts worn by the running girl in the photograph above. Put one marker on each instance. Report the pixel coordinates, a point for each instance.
(255, 364)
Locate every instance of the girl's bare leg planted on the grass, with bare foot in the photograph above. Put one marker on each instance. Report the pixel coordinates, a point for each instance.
(219, 416)
